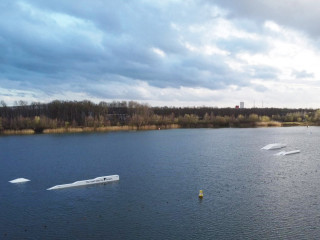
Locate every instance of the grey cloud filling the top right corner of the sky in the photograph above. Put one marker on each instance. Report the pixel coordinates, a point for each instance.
(298, 14)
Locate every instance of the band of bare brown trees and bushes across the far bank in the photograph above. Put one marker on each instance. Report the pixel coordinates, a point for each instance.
(75, 114)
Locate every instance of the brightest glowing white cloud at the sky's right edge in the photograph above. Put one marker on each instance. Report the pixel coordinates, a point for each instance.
(288, 51)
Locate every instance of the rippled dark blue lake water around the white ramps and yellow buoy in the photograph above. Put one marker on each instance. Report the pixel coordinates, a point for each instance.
(248, 193)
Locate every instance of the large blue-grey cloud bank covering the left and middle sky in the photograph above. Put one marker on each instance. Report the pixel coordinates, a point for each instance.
(54, 46)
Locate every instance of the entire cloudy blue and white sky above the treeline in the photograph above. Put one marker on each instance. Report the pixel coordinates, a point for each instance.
(162, 52)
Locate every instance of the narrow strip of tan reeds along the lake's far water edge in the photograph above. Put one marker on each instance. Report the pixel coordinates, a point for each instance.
(147, 127)
